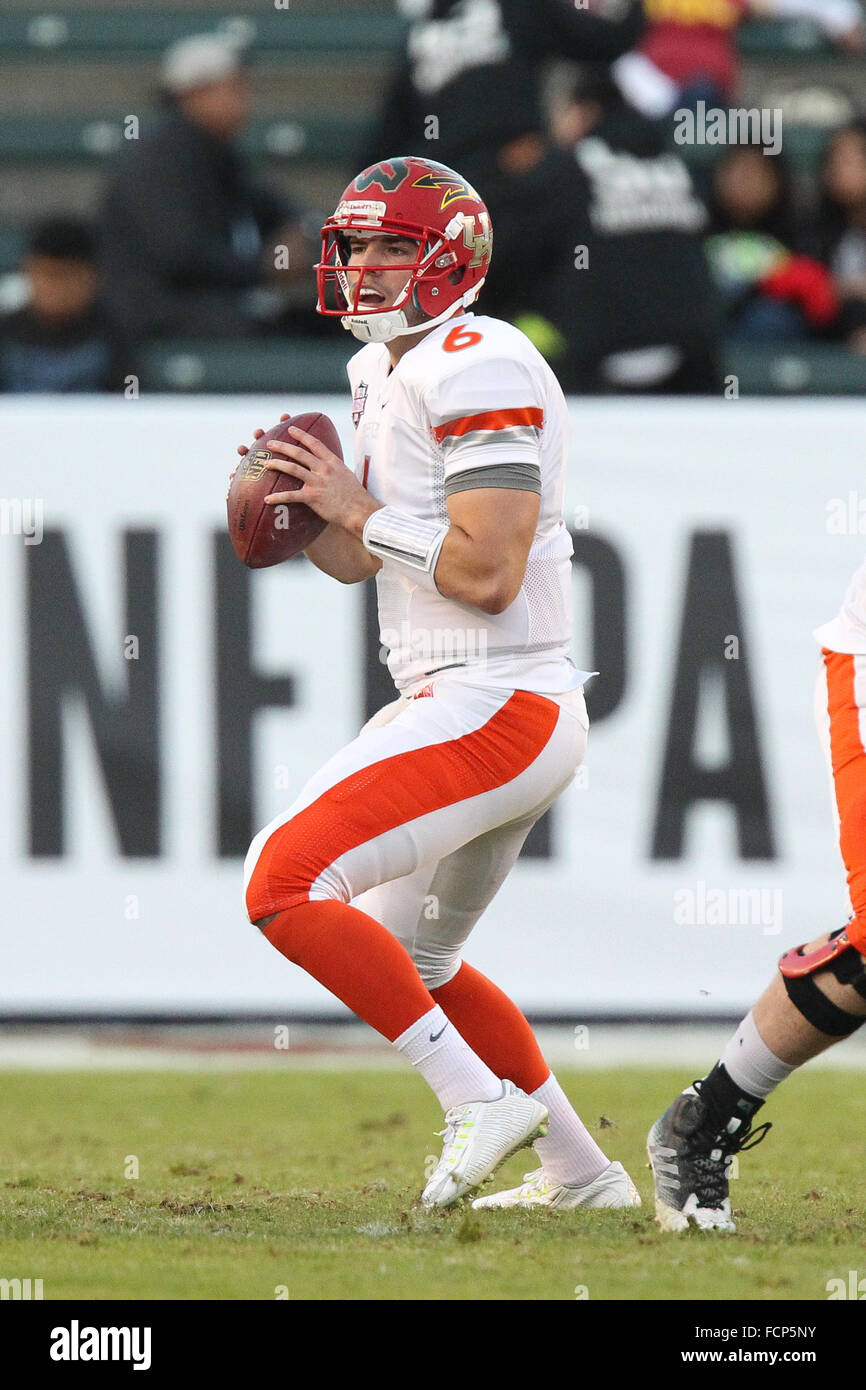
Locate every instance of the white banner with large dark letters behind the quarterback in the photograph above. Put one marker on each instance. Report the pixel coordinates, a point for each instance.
(159, 704)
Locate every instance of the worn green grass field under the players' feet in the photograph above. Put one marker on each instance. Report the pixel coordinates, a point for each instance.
(254, 1185)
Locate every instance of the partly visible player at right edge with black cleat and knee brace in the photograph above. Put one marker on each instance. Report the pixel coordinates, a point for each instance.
(819, 996)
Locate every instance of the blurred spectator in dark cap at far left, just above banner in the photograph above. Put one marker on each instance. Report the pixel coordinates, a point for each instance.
(60, 341)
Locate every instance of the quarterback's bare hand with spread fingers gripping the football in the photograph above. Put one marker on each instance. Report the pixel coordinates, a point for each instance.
(330, 489)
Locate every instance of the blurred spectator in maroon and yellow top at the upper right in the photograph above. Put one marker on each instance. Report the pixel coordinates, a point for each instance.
(690, 49)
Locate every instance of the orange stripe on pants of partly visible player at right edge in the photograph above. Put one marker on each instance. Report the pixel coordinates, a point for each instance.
(849, 760)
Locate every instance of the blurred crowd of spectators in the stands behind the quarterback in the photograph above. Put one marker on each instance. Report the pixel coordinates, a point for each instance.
(626, 262)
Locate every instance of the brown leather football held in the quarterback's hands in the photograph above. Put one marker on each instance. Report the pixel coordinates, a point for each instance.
(266, 536)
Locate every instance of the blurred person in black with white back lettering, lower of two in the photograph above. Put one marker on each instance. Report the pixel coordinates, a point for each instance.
(633, 300)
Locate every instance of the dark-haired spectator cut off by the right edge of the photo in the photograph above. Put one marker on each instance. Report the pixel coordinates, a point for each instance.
(842, 229)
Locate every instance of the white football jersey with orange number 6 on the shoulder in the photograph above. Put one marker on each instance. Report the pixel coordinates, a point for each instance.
(473, 405)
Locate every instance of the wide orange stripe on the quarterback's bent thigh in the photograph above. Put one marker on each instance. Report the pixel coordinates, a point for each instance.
(393, 793)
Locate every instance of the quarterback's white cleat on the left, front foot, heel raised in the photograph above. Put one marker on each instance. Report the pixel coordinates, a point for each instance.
(479, 1138)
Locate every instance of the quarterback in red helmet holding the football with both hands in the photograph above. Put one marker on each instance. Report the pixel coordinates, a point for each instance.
(375, 878)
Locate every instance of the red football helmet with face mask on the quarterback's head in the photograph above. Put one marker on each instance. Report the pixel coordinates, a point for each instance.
(427, 204)
